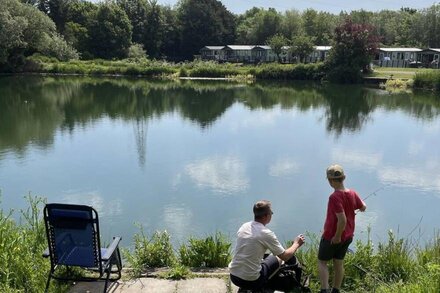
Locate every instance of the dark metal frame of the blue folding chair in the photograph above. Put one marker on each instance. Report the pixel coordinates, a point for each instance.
(104, 263)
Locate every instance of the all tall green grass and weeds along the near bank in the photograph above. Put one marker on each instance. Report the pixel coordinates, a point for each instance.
(393, 266)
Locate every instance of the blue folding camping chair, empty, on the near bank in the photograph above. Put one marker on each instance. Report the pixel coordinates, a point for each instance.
(74, 241)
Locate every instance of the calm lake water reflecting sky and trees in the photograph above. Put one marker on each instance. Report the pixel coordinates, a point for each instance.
(192, 157)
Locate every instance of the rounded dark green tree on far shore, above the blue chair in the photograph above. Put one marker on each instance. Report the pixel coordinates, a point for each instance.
(110, 32)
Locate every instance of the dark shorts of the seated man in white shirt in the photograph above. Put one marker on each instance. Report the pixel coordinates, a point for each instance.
(269, 266)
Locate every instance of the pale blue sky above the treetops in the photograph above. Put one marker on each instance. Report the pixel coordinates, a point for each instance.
(334, 6)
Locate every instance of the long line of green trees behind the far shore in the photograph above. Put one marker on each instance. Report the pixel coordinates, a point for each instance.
(115, 29)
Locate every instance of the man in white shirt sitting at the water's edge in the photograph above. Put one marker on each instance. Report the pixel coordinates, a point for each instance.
(248, 269)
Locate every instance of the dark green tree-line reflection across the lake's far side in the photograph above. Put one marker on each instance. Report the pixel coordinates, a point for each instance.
(33, 108)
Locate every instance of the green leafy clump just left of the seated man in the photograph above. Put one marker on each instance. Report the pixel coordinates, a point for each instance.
(209, 252)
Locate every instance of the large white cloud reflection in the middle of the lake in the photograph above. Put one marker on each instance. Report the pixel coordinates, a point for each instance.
(222, 174)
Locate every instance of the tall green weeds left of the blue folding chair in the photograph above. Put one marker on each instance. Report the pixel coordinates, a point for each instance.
(23, 269)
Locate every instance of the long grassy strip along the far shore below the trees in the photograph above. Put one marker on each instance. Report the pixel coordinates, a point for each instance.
(163, 69)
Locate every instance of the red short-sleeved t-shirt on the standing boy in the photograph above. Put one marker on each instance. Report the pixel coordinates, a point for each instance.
(346, 201)
